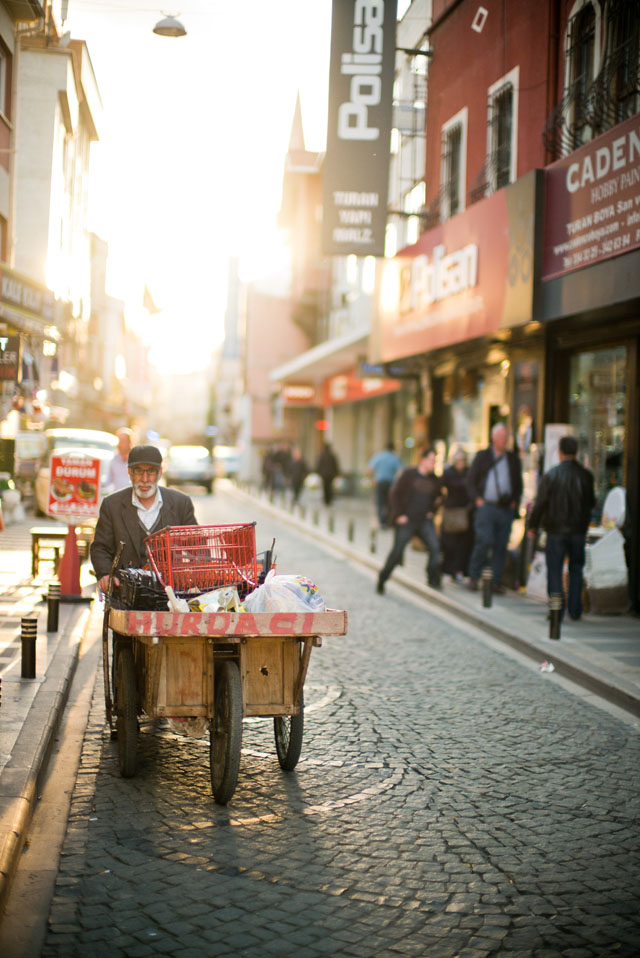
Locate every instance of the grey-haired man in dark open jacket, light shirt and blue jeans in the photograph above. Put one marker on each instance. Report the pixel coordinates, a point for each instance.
(495, 486)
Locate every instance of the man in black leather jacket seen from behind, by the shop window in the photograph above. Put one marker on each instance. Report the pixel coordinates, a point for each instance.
(563, 508)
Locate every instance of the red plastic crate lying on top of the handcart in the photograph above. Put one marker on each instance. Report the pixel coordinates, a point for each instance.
(202, 558)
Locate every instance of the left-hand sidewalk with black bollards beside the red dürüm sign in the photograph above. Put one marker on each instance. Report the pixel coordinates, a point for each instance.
(30, 709)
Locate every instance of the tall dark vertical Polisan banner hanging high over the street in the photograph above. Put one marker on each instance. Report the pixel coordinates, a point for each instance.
(356, 164)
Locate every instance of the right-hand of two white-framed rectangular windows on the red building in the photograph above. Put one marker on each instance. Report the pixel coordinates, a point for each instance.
(502, 124)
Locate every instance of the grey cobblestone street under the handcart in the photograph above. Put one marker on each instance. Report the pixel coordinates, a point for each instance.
(449, 801)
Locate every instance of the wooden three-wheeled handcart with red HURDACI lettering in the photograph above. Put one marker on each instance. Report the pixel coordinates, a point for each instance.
(220, 667)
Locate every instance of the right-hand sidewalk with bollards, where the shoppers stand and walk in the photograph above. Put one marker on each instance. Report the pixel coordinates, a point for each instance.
(600, 653)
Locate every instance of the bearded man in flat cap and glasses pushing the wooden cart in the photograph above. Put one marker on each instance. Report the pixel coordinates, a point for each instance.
(133, 513)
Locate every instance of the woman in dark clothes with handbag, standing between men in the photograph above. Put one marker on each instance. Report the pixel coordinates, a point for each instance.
(456, 534)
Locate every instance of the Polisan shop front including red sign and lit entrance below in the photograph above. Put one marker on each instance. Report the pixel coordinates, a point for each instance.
(460, 303)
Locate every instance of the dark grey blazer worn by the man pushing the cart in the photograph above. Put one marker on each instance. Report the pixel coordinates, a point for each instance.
(118, 522)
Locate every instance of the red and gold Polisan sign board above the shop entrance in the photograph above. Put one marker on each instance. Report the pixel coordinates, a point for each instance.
(466, 278)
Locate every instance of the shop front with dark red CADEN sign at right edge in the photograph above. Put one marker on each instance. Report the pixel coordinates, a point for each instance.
(590, 303)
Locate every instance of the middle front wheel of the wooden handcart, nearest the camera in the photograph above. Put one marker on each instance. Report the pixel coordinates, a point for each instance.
(225, 736)
